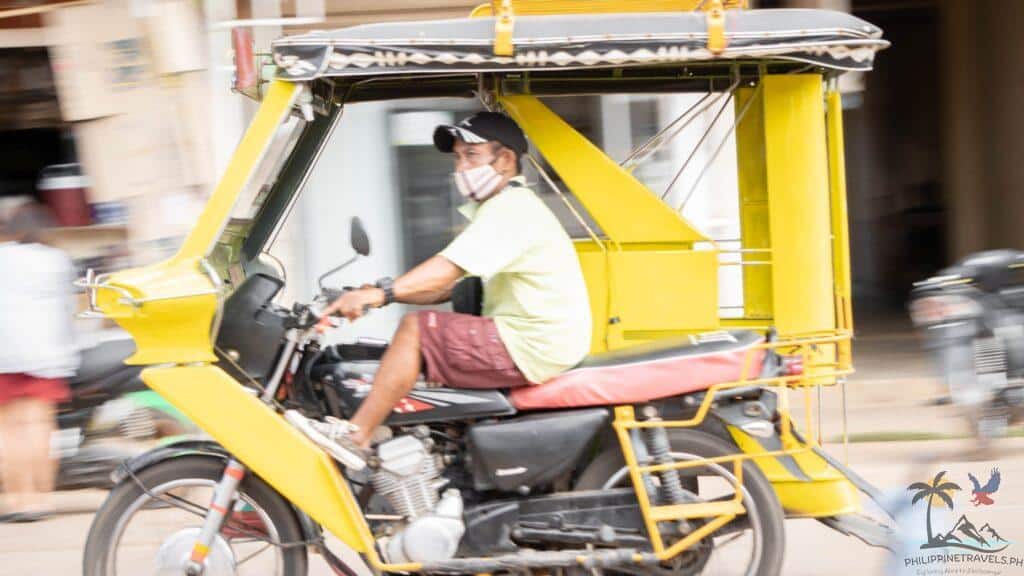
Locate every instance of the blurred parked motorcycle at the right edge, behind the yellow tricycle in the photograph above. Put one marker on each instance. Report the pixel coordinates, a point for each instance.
(972, 315)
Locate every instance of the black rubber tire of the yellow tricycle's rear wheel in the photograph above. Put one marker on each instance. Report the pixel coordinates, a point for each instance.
(771, 516)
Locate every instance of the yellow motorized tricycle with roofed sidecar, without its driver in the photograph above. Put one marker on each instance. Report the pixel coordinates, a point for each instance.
(671, 450)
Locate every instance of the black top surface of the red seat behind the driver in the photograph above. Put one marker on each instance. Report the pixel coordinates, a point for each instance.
(710, 343)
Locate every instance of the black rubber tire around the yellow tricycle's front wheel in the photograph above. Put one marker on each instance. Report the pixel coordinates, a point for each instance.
(294, 559)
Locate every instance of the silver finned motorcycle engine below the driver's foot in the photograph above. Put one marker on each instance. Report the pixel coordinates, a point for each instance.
(409, 478)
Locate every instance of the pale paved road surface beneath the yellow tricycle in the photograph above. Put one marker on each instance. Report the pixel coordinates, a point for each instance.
(55, 547)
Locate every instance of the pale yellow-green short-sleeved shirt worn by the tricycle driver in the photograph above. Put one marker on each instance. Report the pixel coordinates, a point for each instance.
(533, 286)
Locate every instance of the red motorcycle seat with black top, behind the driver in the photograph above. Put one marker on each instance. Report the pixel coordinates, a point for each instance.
(647, 373)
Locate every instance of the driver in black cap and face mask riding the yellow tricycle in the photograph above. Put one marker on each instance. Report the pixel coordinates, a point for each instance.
(536, 319)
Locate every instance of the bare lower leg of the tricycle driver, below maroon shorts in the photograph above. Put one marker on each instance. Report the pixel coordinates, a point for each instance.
(396, 379)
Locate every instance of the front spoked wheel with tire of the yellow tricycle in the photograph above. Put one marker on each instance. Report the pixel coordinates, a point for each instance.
(153, 531)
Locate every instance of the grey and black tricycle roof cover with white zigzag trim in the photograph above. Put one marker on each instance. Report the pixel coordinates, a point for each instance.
(570, 44)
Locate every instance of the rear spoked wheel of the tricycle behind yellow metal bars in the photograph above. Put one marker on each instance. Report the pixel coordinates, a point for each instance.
(752, 545)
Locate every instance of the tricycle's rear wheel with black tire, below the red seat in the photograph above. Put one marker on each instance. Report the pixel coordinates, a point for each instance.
(765, 518)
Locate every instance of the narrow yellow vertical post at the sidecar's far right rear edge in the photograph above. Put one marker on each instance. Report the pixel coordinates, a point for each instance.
(840, 221)
